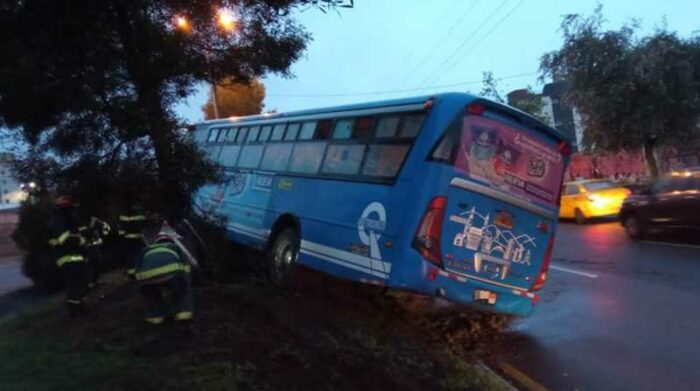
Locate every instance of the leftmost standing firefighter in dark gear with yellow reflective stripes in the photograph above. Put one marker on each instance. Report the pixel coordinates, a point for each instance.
(68, 246)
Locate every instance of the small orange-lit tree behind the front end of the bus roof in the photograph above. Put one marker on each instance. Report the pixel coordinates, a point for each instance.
(236, 99)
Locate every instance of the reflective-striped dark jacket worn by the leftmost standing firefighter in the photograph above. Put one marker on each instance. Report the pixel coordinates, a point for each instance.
(67, 241)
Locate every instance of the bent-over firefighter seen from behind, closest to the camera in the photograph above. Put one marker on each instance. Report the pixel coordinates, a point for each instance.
(163, 273)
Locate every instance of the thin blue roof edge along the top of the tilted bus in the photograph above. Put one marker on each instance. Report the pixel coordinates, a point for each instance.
(526, 118)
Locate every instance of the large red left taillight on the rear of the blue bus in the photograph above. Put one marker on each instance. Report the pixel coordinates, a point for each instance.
(427, 238)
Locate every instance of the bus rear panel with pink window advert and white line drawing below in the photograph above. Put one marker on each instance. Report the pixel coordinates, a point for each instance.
(501, 205)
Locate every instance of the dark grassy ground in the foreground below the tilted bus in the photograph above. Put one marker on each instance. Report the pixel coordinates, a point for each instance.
(246, 337)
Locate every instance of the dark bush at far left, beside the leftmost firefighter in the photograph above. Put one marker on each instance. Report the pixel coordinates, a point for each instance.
(32, 235)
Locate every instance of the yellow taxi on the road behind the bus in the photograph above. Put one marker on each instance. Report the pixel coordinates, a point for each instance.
(582, 200)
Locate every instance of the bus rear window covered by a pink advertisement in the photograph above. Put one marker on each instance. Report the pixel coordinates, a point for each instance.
(510, 159)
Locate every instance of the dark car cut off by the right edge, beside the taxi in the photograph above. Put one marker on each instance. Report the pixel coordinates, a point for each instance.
(670, 203)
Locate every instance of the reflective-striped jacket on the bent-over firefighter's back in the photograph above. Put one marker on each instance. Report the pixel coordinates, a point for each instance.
(160, 262)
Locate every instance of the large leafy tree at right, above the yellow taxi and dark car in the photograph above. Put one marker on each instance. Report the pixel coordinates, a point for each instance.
(631, 92)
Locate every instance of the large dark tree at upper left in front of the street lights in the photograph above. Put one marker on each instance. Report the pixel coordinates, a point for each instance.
(91, 81)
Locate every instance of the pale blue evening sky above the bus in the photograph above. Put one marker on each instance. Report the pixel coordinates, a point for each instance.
(384, 49)
